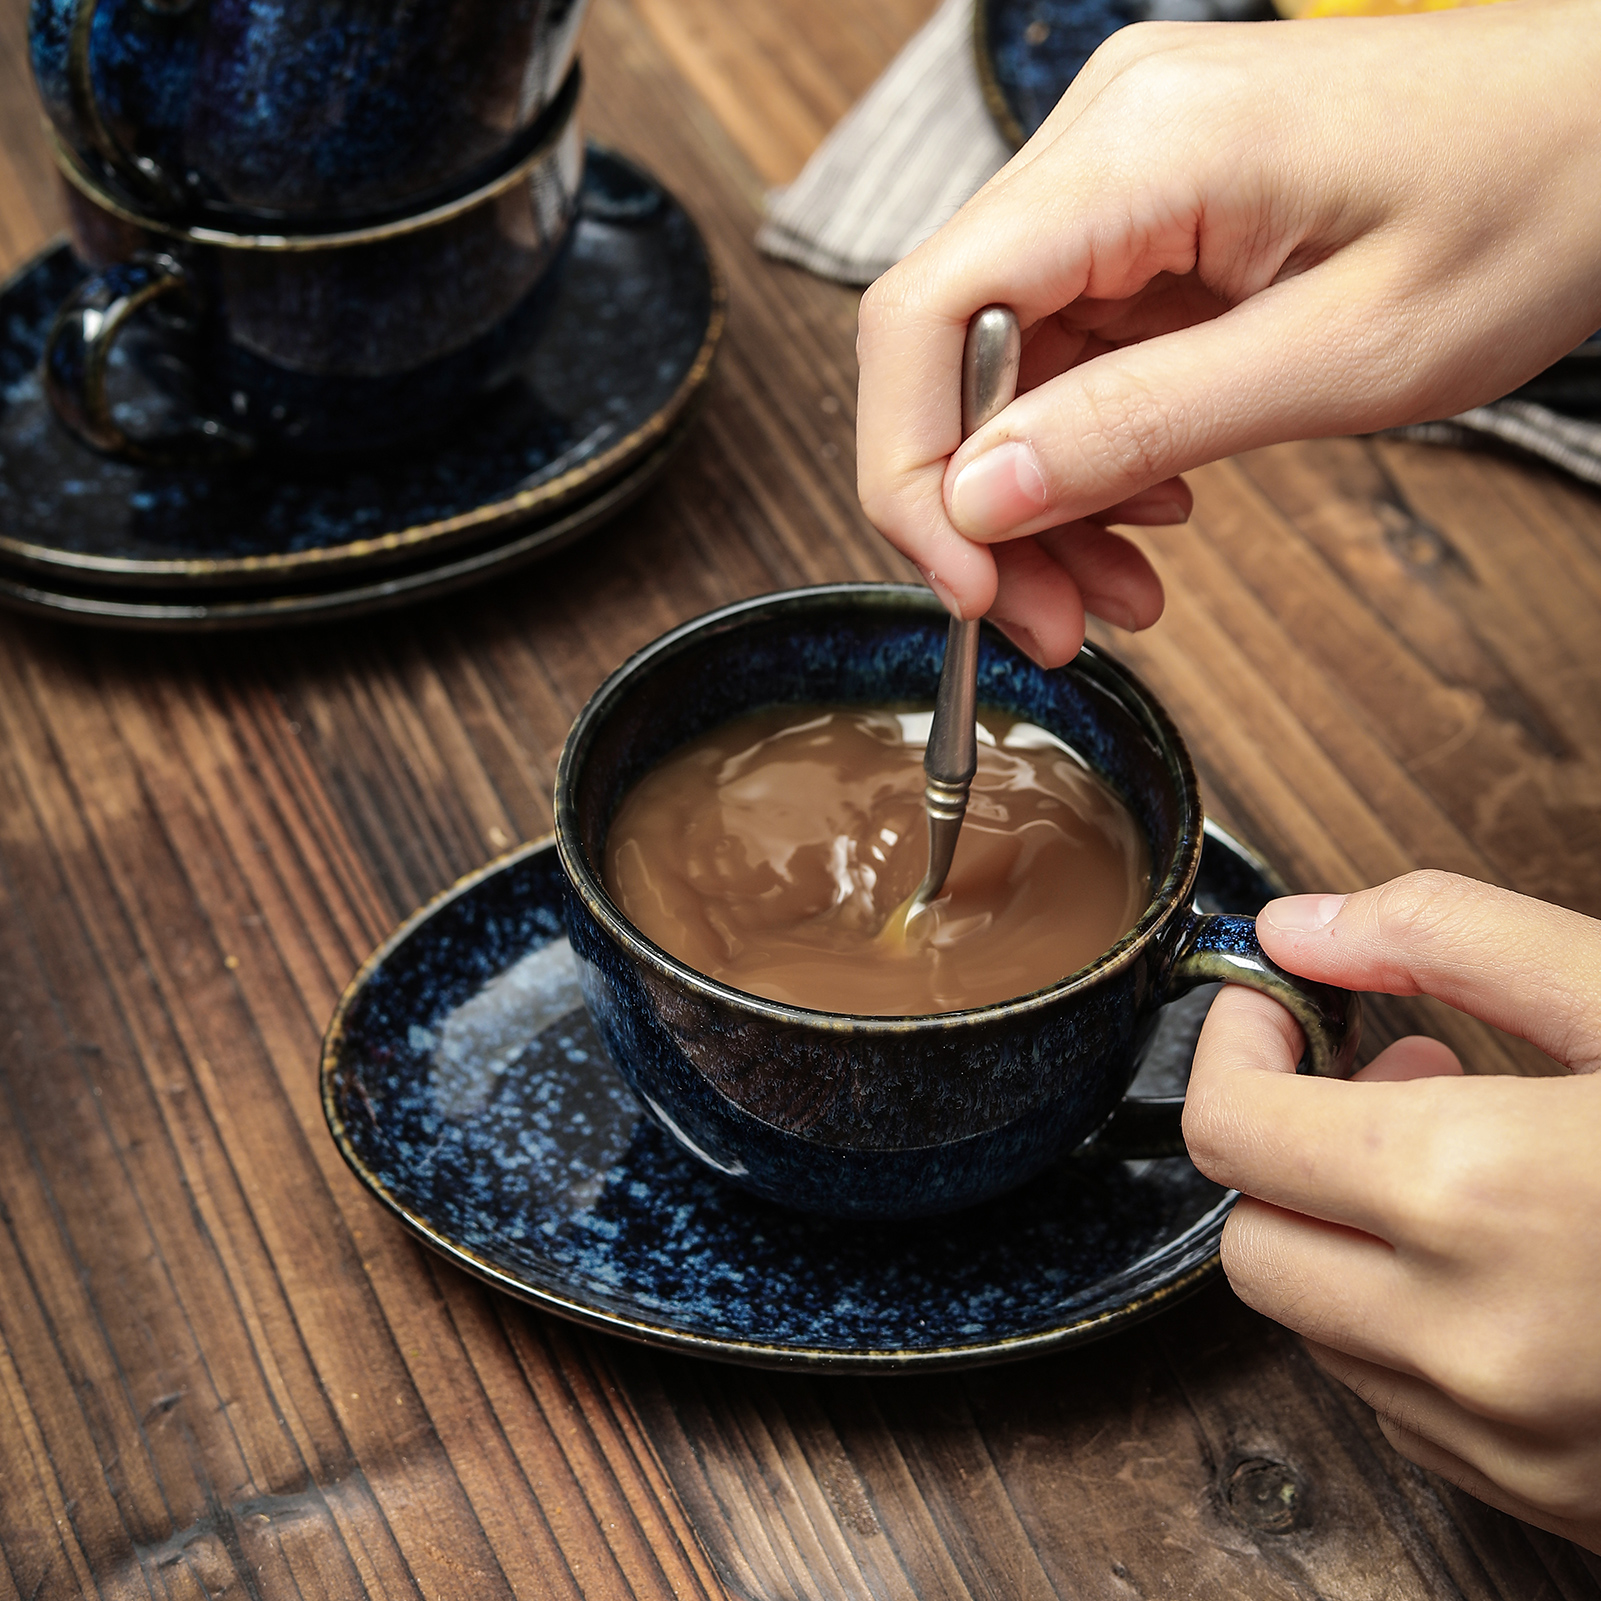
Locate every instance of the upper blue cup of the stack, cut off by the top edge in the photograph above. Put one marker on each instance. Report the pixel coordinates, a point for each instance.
(297, 113)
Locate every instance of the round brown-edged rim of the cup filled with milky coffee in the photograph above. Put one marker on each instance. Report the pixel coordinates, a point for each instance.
(1168, 899)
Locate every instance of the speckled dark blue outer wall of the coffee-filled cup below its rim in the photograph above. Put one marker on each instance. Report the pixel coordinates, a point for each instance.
(788, 1115)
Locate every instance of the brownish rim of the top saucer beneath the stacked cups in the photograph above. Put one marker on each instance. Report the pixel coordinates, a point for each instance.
(417, 539)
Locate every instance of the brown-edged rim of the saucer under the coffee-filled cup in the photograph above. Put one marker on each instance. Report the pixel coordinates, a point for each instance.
(750, 1354)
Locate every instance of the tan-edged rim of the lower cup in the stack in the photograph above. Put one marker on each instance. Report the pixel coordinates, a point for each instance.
(555, 126)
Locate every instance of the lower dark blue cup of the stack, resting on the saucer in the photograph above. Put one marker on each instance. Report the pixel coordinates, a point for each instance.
(318, 343)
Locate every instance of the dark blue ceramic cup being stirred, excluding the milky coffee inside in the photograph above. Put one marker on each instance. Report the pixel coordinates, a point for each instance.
(873, 1117)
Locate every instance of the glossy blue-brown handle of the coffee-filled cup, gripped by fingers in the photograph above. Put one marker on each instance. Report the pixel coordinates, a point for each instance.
(1224, 949)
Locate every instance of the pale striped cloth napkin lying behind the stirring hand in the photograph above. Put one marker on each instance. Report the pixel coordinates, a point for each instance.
(921, 142)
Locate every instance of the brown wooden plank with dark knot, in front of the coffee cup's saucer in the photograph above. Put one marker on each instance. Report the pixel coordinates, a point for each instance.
(1102, 1474)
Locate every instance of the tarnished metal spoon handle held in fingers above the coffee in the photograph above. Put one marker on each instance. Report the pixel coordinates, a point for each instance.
(990, 361)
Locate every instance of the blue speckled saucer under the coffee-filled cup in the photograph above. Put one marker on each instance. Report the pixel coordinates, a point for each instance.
(465, 1088)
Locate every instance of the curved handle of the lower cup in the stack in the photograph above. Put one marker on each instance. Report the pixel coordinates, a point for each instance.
(79, 350)
